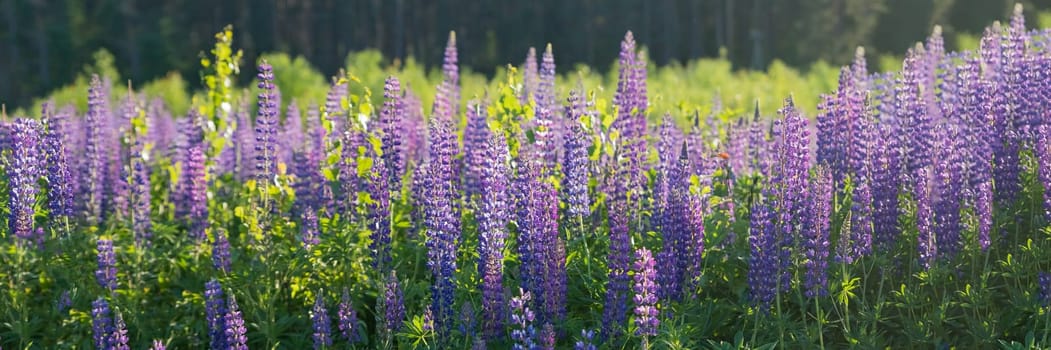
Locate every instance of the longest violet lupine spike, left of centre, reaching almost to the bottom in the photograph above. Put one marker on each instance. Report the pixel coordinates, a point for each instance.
(442, 221)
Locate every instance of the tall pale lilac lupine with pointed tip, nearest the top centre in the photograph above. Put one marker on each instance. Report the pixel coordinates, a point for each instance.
(547, 120)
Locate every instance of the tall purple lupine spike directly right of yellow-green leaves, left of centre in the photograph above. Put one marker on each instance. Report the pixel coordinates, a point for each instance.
(391, 120)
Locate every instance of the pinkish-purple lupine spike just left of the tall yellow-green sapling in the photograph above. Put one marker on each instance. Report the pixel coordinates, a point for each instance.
(195, 194)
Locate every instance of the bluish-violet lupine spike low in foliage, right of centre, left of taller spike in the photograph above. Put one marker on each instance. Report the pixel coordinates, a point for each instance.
(764, 264)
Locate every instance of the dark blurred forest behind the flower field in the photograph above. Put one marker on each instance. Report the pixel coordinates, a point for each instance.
(46, 44)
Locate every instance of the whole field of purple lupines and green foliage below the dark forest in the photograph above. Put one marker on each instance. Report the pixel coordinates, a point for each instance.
(679, 208)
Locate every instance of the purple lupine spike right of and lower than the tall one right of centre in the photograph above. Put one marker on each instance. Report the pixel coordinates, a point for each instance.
(816, 236)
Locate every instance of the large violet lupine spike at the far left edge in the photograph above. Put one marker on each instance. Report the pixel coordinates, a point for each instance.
(24, 176)
